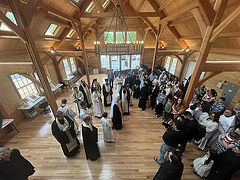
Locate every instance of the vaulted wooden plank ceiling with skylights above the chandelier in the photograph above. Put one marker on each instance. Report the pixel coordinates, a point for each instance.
(186, 21)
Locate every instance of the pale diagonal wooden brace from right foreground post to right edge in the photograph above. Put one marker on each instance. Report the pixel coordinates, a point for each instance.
(231, 17)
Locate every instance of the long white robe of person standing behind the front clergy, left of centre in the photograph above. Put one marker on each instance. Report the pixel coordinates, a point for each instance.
(97, 104)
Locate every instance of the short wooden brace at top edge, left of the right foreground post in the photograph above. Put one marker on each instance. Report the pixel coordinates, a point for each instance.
(208, 11)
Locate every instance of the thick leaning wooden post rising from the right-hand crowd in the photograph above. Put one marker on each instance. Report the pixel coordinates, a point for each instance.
(204, 50)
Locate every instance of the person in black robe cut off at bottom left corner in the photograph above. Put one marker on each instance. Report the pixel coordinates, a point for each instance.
(13, 166)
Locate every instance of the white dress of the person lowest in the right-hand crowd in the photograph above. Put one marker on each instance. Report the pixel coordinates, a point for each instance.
(202, 169)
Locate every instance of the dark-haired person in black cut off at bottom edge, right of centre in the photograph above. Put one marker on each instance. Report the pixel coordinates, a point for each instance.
(170, 170)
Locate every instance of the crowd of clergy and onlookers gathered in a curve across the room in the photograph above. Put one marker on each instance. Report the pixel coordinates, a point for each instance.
(205, 121)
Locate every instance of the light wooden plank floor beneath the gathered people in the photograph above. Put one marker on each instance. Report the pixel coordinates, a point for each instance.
(131, 157)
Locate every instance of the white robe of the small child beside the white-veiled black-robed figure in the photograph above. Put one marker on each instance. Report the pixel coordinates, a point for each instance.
(107, 130)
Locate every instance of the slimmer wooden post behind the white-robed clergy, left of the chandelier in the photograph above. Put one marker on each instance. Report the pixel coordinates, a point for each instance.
(78, 29)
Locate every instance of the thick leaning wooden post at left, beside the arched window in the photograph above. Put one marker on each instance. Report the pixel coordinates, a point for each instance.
(33, 53)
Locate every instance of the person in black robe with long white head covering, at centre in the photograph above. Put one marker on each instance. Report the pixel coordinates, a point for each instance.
(116, 112)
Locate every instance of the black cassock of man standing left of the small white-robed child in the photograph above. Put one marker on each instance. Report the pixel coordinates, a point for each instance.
(90, 139)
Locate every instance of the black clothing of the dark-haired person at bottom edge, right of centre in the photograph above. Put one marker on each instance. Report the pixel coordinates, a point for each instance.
(168, 172)
